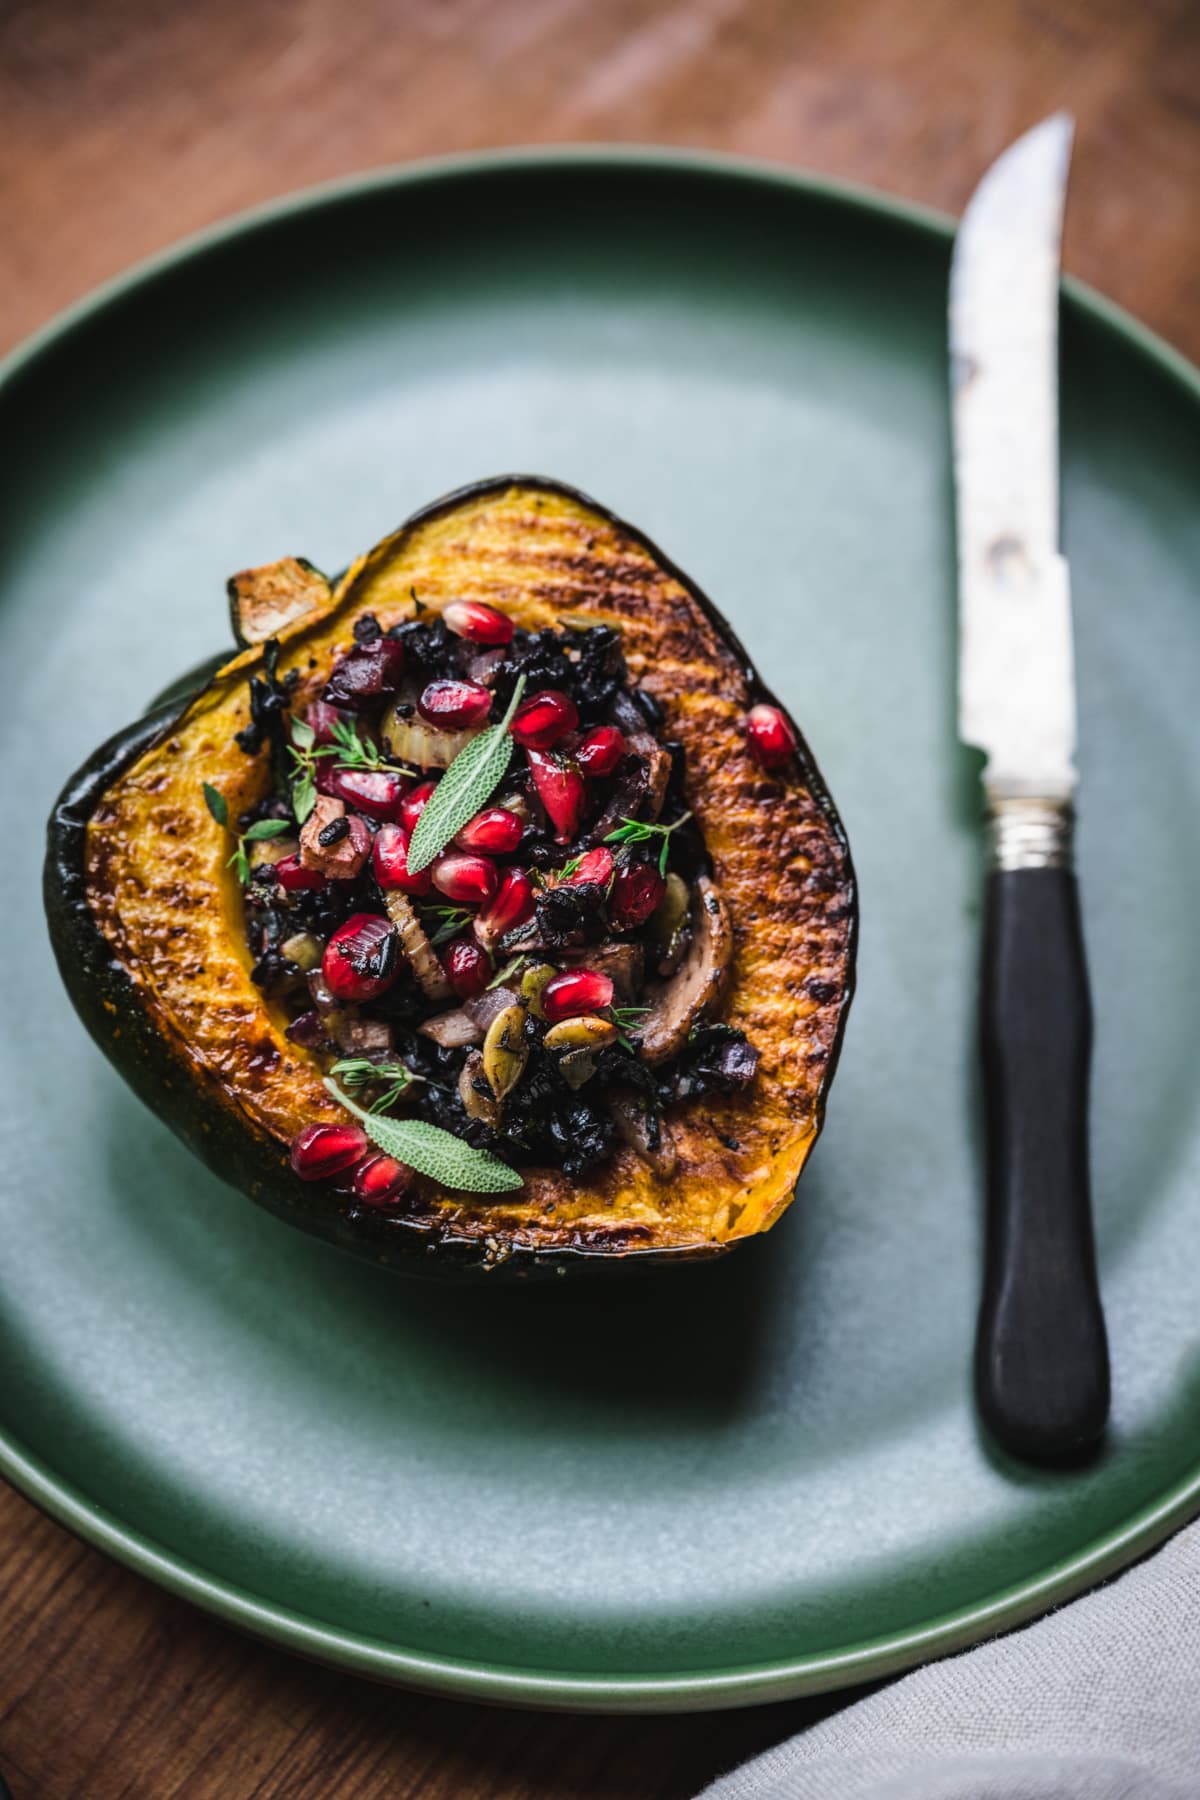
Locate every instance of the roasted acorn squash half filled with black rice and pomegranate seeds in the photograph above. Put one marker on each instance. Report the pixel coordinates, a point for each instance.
(485, 912)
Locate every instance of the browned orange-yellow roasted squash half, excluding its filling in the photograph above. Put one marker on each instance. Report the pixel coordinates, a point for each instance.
(148, 915)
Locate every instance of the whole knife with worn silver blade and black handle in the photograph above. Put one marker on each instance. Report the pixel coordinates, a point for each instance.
(1043, 1354)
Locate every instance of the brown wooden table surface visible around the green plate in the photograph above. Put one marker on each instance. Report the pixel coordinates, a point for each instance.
(127, 125)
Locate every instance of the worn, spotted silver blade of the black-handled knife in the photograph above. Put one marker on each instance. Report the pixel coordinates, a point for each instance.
(1016, 647)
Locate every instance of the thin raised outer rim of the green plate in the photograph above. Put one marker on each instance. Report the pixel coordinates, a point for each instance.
(483, 1680)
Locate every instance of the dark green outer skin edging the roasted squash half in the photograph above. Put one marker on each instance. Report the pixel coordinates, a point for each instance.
(109, 1003)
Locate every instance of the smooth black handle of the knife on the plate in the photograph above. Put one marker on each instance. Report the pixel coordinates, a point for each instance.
(1043, 1354)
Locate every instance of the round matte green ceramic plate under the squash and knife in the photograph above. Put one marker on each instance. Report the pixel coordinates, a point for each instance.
(728, 1484)
